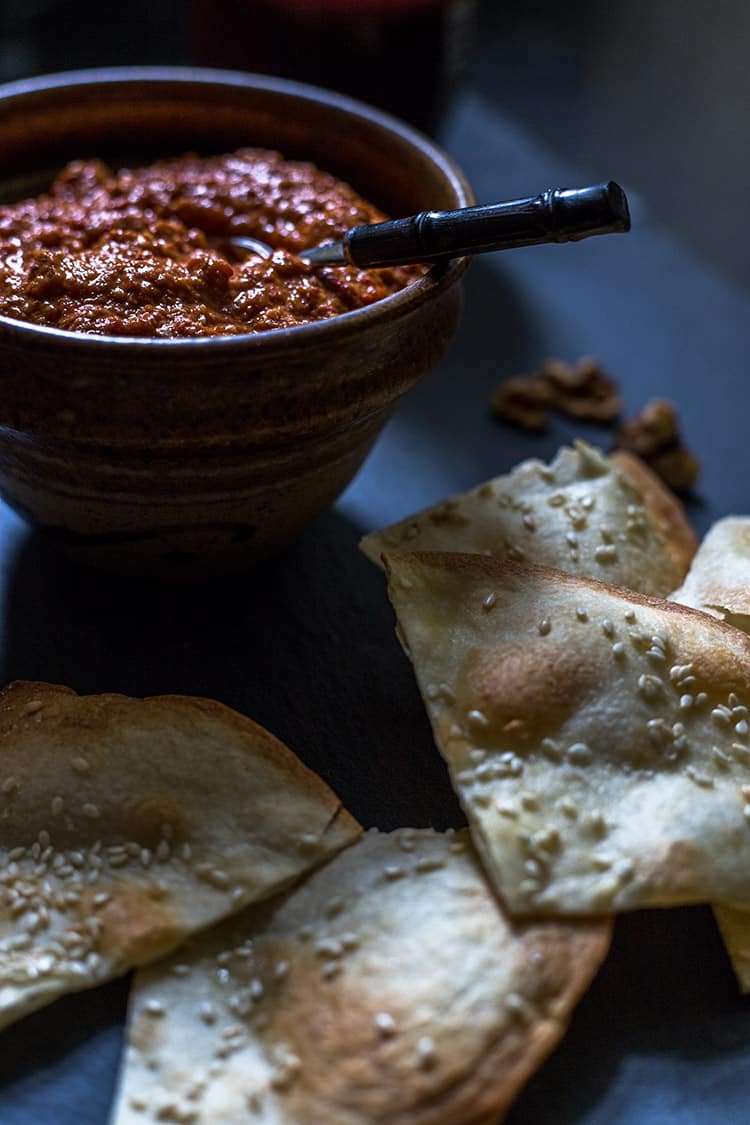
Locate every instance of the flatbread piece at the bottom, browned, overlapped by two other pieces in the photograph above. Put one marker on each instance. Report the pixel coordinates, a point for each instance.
(387, 987)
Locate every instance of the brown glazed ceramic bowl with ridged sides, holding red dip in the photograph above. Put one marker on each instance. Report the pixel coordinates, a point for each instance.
(191, 458)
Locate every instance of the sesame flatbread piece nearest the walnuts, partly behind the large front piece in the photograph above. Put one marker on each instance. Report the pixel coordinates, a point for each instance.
(607, 518)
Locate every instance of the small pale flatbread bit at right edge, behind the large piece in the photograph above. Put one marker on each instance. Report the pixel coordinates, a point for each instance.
(719, 579)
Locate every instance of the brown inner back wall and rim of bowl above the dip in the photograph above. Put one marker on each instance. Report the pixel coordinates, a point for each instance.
(130, 116)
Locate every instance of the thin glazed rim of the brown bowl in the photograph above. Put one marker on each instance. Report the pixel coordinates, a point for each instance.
(440, 276)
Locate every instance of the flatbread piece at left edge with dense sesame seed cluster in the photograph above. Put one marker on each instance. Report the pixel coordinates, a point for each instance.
(125, 825)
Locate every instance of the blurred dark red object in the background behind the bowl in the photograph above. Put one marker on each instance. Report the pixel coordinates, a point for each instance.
(406, 57)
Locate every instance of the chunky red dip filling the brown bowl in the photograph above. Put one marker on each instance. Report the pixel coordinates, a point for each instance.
(133, 254)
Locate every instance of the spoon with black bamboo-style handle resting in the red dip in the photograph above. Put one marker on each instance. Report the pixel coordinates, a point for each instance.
(557, 215)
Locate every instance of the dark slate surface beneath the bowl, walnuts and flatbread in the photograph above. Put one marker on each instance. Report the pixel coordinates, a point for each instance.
(305, 645)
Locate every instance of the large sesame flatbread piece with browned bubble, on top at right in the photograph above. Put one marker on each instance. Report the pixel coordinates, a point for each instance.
(599, 740)
